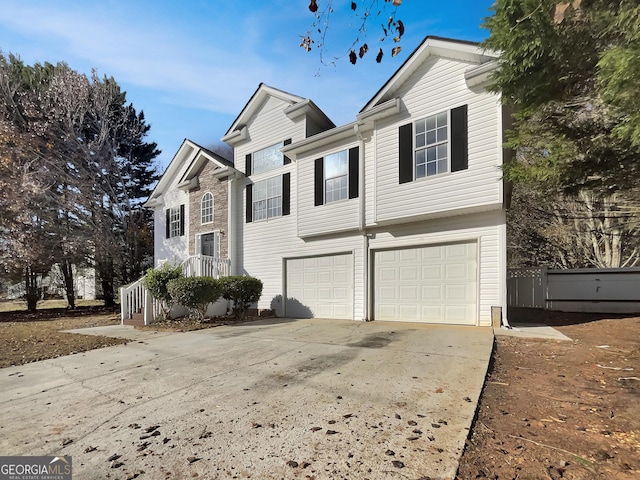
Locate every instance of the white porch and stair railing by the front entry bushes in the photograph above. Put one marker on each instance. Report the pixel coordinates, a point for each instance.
(135, 299)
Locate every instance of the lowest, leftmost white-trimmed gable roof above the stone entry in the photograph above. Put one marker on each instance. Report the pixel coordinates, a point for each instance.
(197, 156)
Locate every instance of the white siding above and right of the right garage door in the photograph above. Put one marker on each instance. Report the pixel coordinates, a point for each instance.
(483, 228)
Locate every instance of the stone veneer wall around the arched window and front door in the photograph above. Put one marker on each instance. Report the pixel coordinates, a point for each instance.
(218, 187)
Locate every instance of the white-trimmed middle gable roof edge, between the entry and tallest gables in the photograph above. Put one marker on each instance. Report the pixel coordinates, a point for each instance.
(299, 105)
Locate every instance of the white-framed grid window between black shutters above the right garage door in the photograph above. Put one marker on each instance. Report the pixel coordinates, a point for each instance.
(432, 145)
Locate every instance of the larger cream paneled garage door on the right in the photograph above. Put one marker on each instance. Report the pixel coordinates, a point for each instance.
(431, 284)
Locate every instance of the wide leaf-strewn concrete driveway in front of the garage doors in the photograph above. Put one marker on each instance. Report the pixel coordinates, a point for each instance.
(271, 399)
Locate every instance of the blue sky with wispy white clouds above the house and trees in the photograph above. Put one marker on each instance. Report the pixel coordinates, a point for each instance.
(192, 65)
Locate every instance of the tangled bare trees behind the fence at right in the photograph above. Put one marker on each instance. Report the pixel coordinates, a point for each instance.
(561, 231)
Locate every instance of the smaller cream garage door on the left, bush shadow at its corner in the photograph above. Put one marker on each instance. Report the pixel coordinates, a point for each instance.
(320, 287)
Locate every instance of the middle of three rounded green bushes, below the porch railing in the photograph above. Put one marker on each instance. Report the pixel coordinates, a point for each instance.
(195, 293)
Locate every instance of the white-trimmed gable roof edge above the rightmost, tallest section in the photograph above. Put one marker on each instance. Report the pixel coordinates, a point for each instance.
(434, 46)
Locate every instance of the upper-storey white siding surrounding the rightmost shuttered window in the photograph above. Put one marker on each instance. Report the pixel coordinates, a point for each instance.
(438, 86)
